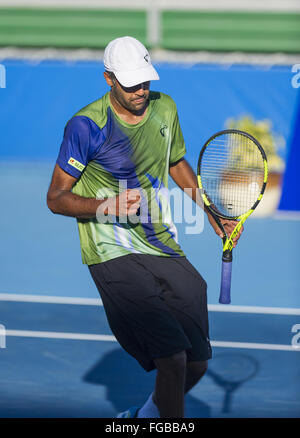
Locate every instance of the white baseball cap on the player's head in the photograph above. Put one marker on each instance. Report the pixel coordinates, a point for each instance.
(130, 61)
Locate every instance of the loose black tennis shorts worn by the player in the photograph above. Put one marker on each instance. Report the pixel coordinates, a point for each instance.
(156, 306)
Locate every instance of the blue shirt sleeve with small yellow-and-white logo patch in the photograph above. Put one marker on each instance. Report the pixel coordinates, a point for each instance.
(74, 151)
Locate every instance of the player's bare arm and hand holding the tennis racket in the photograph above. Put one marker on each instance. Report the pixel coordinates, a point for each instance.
(184, 176)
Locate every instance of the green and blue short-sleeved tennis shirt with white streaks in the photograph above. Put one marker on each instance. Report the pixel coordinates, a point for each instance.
(108, 155)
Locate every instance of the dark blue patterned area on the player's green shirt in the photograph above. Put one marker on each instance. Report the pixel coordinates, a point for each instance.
(111, 148)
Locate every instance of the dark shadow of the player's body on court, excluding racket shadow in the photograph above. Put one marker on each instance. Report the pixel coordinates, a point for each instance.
(127, 384)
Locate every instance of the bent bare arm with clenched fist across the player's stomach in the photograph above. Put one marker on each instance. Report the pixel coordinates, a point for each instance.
(61, 200)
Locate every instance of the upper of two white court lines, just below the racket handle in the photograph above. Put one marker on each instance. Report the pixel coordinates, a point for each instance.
(97, 302)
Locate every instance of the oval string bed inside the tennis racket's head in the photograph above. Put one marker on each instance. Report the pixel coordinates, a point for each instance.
(232, 173)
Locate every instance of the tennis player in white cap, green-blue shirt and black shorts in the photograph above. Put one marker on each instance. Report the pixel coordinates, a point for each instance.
(111, 171)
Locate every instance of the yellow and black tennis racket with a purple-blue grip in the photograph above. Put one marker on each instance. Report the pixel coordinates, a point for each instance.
(232, 175)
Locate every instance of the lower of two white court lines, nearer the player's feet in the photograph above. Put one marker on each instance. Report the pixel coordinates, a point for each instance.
(110, 338)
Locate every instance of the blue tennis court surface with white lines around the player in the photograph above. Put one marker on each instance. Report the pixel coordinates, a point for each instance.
(60, 359)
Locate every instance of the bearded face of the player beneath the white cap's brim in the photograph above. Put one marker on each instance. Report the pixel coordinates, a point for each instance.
(134, 99)
